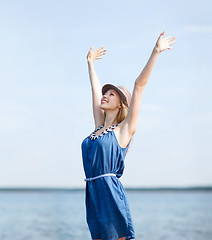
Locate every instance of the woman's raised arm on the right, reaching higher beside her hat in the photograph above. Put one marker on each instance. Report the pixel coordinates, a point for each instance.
(130, 122)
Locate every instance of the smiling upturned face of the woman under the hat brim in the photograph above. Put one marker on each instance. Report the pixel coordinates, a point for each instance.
(110, 100)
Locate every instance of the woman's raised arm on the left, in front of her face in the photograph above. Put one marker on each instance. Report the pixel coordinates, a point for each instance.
(95, 85)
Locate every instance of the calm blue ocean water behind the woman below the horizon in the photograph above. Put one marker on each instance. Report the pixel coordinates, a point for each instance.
(59, 215)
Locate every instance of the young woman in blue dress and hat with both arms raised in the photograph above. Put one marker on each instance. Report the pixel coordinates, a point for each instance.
(103, 152)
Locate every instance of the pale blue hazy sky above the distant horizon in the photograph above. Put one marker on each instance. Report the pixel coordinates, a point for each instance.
(45, 96)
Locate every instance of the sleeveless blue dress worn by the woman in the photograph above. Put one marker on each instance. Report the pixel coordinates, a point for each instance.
(107, 210)
